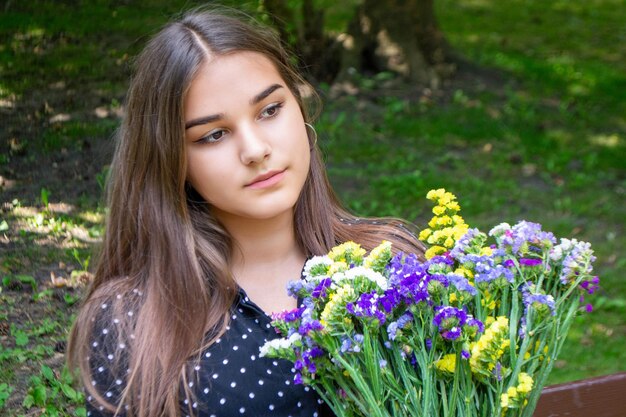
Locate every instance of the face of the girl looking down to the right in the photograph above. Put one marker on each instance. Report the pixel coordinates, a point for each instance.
(247, 148)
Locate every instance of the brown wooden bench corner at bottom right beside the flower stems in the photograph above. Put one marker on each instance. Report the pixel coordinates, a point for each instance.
(603, 396)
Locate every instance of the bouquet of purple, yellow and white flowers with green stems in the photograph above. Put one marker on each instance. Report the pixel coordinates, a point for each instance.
(471, 330)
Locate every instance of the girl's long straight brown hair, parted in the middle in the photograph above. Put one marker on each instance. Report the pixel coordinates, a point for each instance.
(163, 269)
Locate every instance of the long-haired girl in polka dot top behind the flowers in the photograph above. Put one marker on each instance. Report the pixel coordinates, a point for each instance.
(217, 196)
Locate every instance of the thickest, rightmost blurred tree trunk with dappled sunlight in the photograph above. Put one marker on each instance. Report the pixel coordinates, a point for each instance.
(396, 35)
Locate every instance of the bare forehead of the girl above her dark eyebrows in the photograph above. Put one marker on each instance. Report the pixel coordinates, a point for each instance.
(232, 79)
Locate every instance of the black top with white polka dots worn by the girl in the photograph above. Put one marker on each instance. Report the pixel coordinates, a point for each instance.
(231, 379)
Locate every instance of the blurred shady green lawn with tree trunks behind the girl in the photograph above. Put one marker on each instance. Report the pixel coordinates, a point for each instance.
(518, 107)
